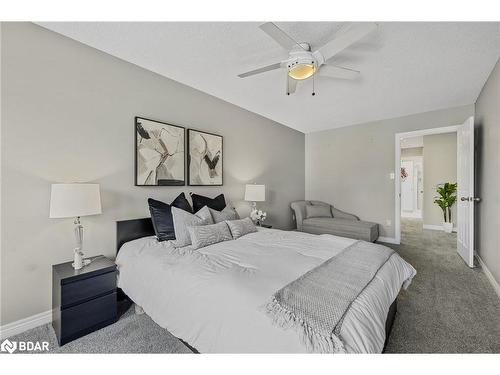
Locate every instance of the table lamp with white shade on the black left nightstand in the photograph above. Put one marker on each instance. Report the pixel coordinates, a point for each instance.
(75, 200)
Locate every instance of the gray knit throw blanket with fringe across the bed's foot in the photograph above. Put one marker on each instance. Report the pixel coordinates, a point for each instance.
(316, 303)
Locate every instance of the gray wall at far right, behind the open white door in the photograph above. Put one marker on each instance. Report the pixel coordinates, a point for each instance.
(488, 173)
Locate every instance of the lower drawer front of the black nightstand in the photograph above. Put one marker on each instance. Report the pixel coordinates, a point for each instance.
(88, 316)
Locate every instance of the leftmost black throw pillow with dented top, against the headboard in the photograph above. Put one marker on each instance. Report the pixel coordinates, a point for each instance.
(161, 216)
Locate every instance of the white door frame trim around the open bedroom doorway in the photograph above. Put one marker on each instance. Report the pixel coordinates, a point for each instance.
(397, 171)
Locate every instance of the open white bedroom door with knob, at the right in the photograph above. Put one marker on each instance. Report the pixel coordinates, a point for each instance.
(465, 191)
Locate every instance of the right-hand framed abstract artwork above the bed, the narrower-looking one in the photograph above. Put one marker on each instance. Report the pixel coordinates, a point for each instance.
(205, 156)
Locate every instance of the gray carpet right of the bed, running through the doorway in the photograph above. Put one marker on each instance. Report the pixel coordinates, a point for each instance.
(449, 308)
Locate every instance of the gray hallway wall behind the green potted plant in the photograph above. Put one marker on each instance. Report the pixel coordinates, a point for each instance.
(440, 165)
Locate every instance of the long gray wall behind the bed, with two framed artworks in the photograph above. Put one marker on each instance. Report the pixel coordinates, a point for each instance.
(67, 115)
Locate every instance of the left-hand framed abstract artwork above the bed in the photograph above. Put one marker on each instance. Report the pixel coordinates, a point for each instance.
(159, 153)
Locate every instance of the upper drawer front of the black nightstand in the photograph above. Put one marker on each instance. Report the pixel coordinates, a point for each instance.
(82, 290)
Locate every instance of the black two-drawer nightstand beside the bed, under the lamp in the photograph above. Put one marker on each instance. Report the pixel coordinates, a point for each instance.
(83, 300)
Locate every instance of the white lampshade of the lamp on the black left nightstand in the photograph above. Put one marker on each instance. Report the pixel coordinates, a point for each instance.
(73, 200)
